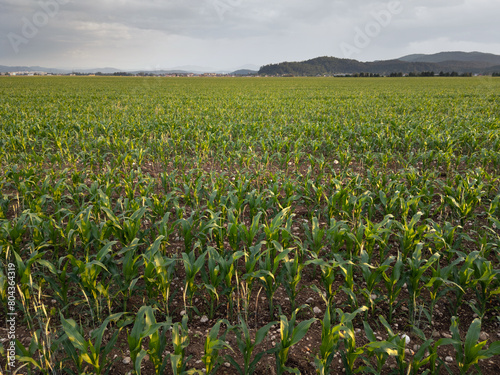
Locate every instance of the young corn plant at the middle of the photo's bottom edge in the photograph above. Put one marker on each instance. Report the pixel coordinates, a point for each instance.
(246, 347)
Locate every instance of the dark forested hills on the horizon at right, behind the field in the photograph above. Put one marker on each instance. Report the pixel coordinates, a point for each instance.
(466, 63)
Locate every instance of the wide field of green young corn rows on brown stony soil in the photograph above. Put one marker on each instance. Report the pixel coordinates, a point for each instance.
(249, 225)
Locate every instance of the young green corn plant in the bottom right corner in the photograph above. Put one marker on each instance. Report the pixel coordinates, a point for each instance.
(470, 352)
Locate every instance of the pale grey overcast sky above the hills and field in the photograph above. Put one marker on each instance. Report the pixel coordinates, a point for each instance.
(228, 34)
